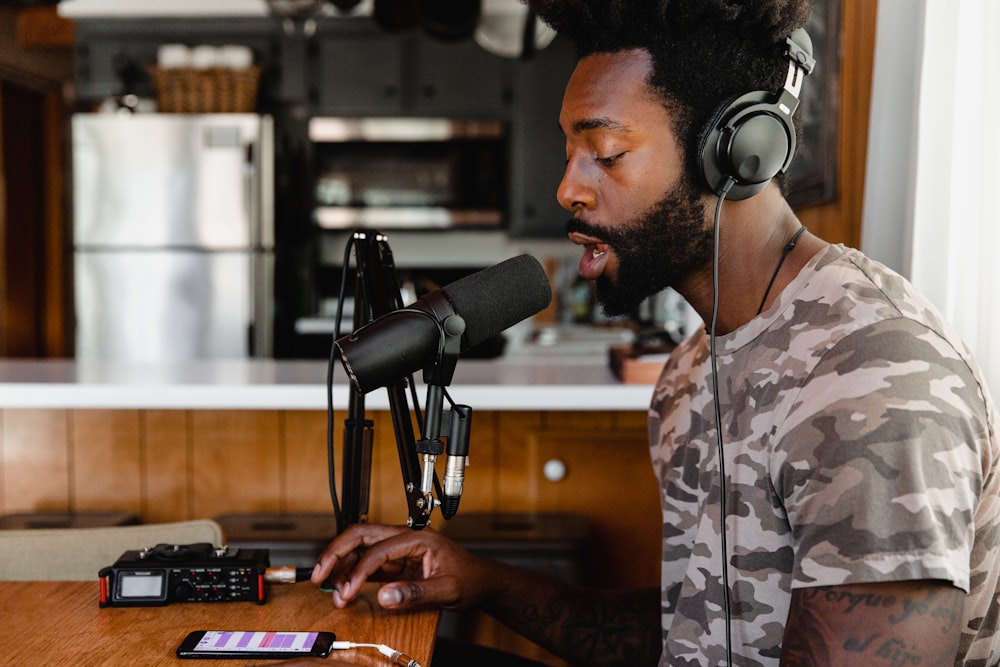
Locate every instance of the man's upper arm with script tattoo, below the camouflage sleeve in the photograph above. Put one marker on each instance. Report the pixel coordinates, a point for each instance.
(892, 624)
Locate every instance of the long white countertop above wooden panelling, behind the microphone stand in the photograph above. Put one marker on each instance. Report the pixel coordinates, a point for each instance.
(542, 380)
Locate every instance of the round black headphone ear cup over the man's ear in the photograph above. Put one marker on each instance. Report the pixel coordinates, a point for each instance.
(749, 141)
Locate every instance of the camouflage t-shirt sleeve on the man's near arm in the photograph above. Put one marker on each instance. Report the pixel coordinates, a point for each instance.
(879, 462)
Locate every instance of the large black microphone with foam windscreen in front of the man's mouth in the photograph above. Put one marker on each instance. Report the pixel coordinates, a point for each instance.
(470, 310)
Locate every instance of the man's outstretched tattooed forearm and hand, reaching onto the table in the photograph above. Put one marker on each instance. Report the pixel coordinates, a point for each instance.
(423, 567)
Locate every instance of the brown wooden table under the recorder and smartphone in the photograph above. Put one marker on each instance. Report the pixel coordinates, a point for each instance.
(60, 623)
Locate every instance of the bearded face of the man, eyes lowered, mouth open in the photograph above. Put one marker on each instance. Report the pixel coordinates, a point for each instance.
(642, 223)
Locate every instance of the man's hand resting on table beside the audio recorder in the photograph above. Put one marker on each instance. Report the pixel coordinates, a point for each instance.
(423, 567)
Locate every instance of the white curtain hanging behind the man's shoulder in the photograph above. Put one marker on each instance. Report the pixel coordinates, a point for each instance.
(933, 175)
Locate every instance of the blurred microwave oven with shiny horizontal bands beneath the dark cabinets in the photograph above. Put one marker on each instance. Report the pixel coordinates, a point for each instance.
(409, 173)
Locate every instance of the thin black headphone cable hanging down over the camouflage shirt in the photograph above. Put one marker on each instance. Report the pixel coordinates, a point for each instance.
(723, 485)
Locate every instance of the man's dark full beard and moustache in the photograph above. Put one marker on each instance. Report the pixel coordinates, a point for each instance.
(655, 250)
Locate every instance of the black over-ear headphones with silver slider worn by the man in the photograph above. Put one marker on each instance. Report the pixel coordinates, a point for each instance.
(751, 137)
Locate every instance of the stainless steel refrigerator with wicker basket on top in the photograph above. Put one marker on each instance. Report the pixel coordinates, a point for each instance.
(173, 232)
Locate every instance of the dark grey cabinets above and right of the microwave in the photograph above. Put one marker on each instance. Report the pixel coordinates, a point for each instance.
(363, 72)
